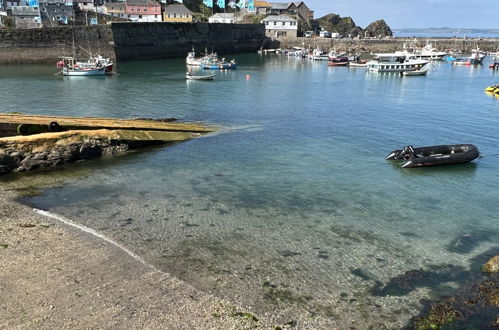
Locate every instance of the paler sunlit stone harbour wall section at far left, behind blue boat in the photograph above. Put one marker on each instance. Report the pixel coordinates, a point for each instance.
(46, 45)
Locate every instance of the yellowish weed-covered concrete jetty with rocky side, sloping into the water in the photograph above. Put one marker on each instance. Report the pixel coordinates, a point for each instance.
(29, 142)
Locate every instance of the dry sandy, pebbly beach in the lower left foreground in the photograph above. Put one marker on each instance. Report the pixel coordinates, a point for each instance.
(55, 276)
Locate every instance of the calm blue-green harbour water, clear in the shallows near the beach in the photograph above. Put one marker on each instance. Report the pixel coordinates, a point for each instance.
(291, 209)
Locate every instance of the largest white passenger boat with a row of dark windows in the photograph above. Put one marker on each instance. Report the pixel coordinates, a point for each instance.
(395, 63)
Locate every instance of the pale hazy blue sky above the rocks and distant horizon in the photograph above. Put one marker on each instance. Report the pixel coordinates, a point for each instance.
(416, 14)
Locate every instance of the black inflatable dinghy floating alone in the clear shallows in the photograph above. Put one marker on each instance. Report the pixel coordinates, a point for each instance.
(435, 155)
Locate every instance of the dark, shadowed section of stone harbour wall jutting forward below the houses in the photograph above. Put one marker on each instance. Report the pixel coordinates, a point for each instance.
(137, 41)
